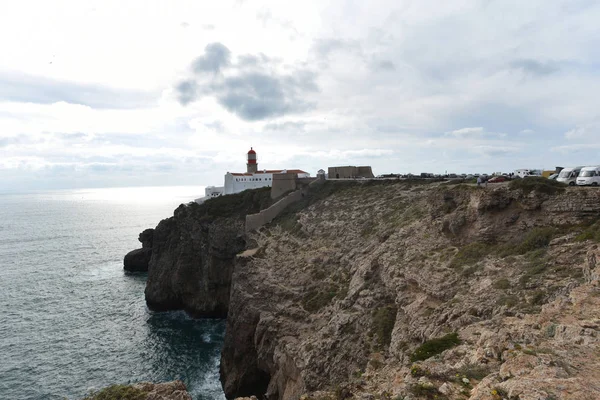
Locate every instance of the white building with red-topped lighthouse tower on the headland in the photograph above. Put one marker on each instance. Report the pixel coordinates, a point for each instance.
(236, 182)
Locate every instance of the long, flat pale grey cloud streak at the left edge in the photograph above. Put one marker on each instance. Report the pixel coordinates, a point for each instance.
(33, 89)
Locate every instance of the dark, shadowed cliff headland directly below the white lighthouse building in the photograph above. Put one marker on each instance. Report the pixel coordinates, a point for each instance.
(193, 252)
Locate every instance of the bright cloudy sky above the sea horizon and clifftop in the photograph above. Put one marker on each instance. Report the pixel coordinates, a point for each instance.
(137, 93)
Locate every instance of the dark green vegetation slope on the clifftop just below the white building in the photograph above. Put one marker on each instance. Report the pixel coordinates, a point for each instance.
(234, 205)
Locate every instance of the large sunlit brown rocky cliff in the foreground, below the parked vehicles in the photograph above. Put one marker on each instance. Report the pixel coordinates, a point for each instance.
(345, 291)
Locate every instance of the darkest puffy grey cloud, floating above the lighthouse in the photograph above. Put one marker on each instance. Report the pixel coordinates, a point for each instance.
(249, 87)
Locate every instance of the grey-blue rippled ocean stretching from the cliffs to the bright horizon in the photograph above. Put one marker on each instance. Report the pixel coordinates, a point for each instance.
(71, 320)
